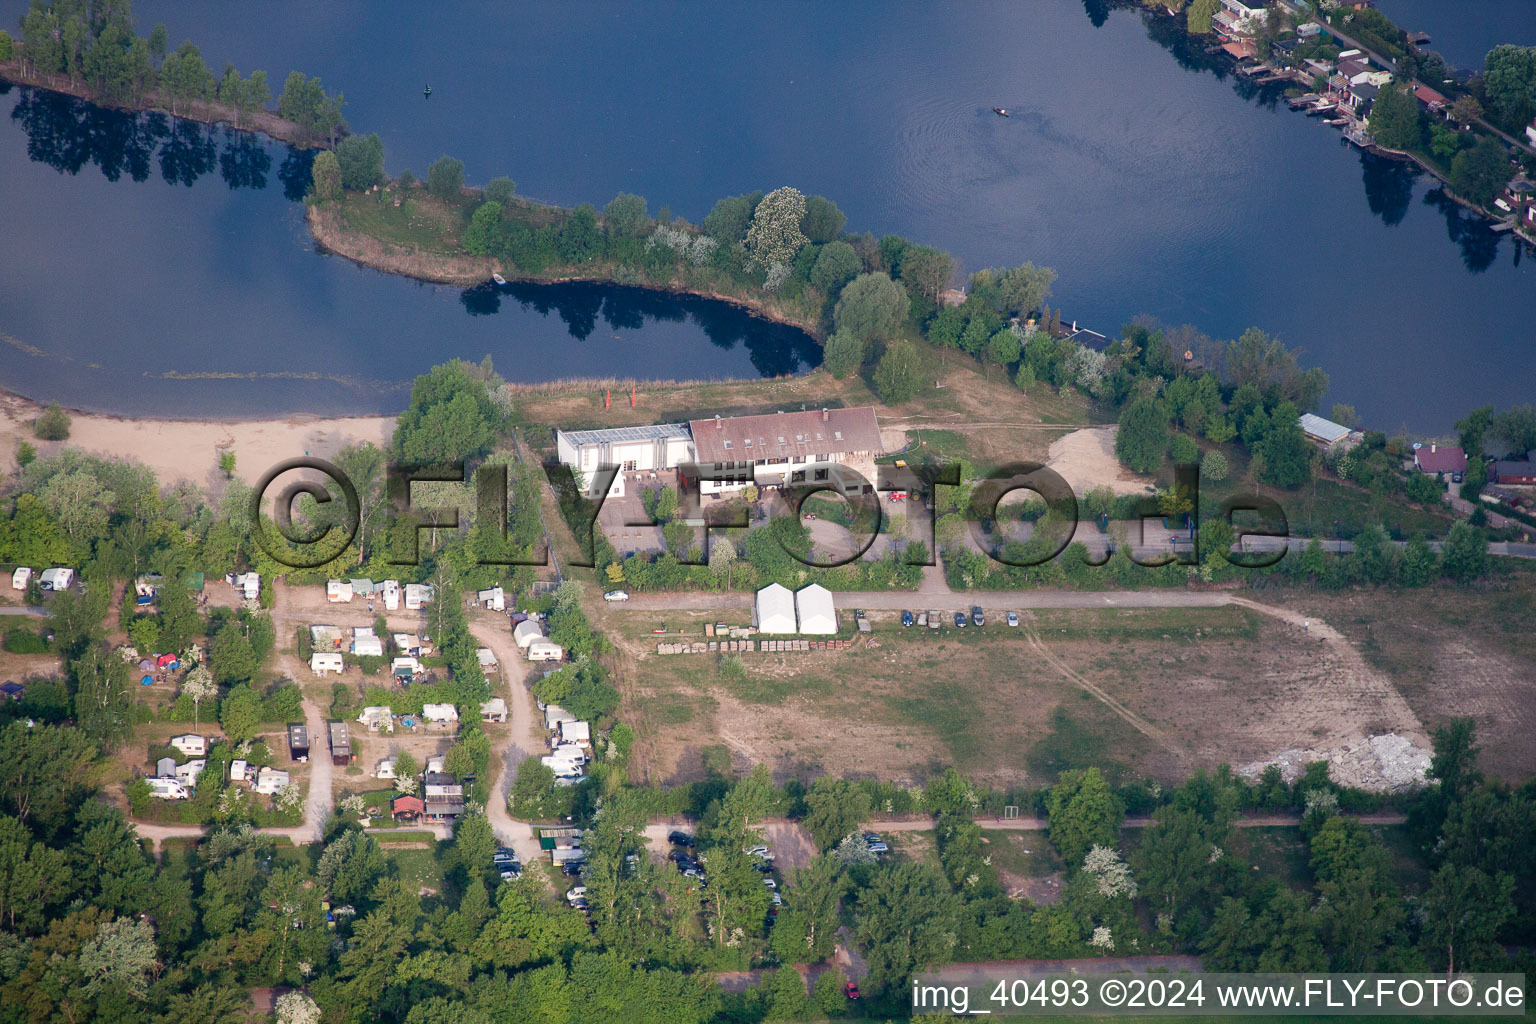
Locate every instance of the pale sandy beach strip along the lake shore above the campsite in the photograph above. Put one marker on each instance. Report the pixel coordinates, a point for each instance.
(190, 449)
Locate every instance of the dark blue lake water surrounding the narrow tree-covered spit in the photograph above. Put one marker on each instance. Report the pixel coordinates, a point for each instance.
(1150, 182)
